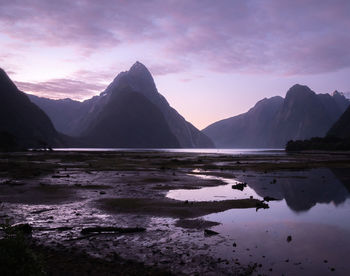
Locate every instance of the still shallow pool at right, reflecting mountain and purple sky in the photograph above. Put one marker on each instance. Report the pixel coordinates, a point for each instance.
(312, 209)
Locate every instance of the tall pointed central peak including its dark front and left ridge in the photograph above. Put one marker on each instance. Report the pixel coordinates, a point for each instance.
(83, 119)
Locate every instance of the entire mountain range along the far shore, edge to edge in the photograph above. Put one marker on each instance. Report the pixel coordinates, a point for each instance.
(131, 113)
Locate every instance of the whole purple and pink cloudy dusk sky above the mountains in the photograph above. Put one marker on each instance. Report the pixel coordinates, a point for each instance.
(210, 59)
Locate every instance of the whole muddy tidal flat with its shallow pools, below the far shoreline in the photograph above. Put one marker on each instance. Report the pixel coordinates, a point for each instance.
(177, 213)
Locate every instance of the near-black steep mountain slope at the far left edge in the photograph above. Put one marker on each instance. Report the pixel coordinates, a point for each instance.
(22, 123)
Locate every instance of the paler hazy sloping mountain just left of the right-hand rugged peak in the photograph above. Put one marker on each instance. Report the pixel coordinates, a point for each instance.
(251, 129)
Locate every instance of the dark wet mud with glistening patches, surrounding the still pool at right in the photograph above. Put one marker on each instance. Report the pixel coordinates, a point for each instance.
(61, 193)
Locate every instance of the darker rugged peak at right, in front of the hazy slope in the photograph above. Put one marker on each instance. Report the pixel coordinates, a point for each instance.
(305, 114)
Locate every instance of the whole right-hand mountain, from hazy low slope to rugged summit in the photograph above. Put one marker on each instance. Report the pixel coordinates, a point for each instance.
(273, 122)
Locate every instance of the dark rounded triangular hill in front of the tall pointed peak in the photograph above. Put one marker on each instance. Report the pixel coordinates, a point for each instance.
(130, 120)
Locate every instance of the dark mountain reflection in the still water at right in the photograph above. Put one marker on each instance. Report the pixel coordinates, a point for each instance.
(303, 189)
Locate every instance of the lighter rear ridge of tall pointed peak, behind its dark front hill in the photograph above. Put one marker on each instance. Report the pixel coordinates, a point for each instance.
(138, 79)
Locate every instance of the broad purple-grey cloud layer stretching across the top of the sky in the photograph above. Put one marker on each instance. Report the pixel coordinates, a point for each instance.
(251, 36)
